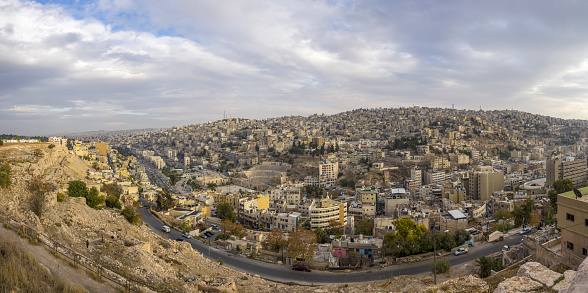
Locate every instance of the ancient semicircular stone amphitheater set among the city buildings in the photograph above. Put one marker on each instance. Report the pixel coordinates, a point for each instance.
(263, 175)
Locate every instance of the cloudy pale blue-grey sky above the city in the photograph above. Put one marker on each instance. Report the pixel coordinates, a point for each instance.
(72, 66)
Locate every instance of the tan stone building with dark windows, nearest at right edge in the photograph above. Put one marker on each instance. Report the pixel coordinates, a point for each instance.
(572, 220)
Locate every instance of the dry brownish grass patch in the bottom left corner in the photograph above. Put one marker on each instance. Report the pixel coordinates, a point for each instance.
(21, 272)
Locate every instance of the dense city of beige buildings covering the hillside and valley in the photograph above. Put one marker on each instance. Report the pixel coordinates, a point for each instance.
(362, 189)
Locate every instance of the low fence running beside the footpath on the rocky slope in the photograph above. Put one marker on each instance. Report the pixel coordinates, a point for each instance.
(127, 283)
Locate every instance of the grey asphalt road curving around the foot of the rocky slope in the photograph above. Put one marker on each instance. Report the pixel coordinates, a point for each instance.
(284, 274)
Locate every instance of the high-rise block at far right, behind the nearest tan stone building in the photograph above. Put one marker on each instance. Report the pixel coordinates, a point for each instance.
(567, 168)
